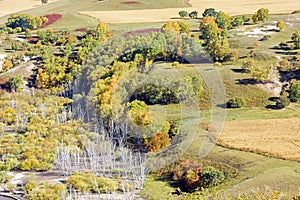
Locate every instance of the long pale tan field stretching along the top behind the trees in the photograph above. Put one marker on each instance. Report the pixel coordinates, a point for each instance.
(232, 7)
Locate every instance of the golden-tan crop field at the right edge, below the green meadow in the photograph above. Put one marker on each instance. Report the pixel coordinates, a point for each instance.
(274, 137)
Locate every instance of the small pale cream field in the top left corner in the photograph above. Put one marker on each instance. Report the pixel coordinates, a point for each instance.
(13, 6)
